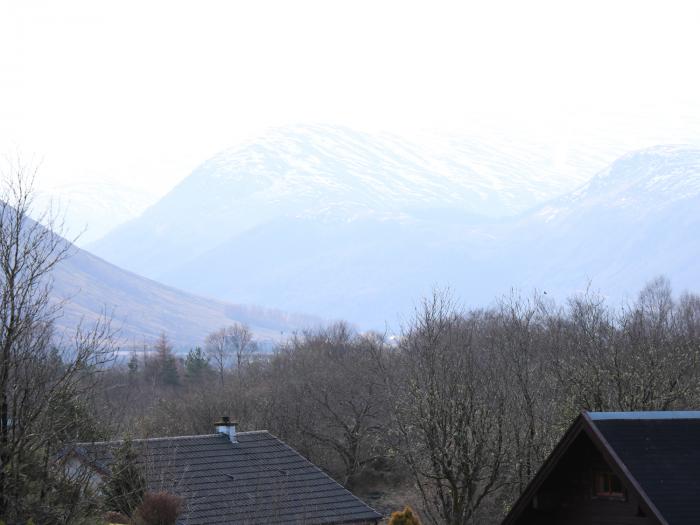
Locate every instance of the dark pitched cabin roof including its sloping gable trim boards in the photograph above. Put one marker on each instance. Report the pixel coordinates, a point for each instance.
(657, 454)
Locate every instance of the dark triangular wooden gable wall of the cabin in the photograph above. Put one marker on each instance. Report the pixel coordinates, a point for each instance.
(568, 496)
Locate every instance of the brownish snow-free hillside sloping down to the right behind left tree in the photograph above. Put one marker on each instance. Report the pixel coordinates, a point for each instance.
(142, 309)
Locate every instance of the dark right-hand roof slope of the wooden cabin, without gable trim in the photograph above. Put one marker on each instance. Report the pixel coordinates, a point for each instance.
(663, 454)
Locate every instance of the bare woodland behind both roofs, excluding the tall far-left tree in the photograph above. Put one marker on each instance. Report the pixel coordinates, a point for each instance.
(456, 414)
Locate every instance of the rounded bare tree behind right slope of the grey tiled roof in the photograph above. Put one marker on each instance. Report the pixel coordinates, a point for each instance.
(338, 395)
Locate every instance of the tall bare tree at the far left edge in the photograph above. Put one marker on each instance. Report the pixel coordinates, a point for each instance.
(42, 378)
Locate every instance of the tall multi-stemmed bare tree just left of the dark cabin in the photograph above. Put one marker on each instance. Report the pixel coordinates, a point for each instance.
(449, 413)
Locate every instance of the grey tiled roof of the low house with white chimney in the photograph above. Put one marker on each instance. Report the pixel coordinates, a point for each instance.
(258, 480)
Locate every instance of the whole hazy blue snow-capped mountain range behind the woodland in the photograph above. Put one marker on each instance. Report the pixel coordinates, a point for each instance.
(348, 225)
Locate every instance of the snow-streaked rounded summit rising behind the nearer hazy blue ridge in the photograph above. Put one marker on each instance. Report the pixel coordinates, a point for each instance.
(328, 174)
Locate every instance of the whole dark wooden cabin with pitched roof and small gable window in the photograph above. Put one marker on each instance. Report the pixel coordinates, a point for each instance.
(626, 468)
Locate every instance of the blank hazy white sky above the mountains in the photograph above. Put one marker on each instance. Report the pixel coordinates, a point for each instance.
(143, 91)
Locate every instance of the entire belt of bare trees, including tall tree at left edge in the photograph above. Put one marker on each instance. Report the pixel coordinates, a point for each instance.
(453, 415)
